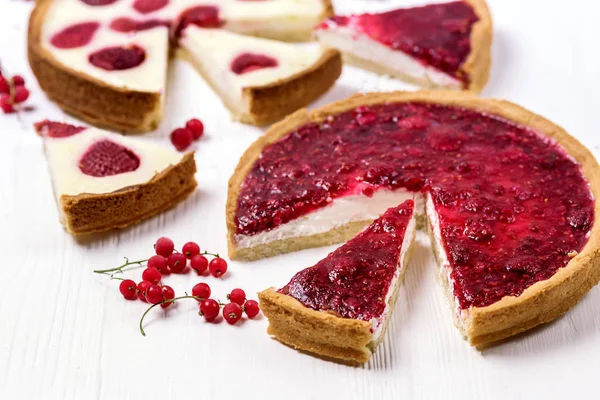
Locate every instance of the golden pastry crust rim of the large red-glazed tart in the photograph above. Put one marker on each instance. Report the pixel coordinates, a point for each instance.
(541, 302)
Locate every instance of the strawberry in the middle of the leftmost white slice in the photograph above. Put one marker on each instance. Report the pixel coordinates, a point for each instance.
(106, 158)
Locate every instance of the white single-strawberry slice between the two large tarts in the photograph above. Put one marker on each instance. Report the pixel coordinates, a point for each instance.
(260, 80)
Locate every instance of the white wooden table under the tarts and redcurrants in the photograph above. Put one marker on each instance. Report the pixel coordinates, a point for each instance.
(66, 333)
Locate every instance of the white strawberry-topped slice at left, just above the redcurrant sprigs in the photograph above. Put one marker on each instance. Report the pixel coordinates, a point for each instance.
(105, 181)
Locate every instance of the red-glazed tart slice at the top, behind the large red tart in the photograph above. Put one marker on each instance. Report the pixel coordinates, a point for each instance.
(445, 45)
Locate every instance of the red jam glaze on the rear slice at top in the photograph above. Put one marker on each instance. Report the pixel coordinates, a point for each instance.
(435, 34)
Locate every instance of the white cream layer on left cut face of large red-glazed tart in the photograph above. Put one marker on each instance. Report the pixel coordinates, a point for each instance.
(338, 213)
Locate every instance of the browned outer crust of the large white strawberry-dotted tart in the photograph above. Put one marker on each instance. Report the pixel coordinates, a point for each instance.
(85, 97)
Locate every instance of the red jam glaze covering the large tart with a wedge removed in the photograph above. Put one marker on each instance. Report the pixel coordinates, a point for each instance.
(512, 205)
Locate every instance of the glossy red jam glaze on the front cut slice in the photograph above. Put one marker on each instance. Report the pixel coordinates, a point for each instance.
(353, 281)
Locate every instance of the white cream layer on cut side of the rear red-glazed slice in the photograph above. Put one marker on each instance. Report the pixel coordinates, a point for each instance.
(363, 47)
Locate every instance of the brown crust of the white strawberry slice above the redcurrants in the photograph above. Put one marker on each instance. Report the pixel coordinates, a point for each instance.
(88, 213)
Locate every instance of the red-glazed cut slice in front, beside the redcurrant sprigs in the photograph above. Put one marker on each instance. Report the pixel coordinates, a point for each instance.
(340, 307)
